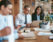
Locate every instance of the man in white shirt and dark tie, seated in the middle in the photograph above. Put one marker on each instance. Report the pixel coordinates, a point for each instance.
(23, 19)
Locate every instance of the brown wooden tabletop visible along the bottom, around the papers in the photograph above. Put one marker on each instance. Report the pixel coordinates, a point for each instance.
(38, 39)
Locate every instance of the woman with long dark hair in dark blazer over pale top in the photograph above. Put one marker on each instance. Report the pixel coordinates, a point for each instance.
(38, 14)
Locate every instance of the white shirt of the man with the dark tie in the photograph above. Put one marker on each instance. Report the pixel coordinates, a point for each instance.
(20, 19)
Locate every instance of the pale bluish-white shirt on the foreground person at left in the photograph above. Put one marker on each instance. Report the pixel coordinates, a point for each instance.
(7, 21)
